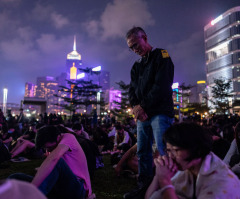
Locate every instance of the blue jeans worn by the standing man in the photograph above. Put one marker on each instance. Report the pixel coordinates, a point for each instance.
(153, 127)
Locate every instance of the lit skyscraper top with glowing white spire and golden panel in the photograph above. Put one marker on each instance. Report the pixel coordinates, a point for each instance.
(74, 61)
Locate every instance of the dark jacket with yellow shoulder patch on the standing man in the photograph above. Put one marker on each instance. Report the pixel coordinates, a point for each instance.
(151, 83)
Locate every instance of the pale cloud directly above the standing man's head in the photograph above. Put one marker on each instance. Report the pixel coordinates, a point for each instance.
(118, 17)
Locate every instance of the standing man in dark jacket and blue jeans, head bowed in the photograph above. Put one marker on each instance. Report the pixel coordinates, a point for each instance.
(150, 95)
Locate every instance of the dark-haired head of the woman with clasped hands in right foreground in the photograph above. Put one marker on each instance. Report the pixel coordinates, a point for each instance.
(186, 142)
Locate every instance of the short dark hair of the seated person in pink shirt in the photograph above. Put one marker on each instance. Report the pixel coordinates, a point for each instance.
(46, 134)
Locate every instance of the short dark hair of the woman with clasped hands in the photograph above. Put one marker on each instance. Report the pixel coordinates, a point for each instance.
(190, 136)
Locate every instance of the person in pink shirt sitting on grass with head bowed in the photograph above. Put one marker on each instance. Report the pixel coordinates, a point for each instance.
(64, 173)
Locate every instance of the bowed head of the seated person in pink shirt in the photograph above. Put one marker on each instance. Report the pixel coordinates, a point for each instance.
(47, 137)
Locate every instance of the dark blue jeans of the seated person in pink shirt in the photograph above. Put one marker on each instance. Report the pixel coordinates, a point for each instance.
(60, 183)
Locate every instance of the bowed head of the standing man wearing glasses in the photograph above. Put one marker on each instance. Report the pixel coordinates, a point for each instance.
(137, 41)
